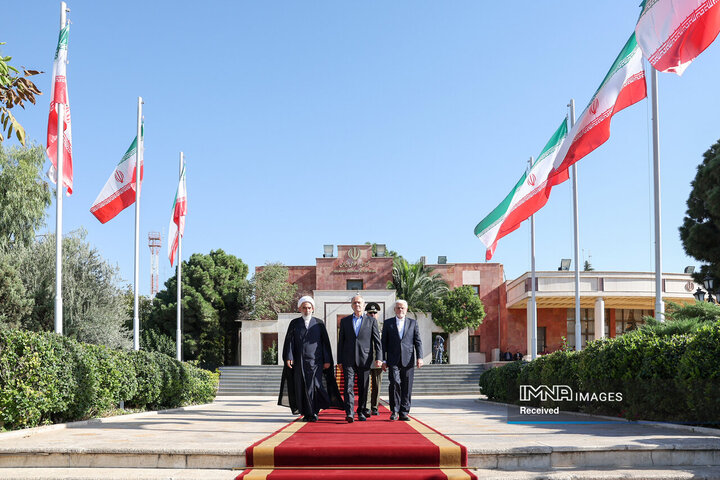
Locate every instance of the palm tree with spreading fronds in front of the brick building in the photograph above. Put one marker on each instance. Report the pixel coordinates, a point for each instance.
(415, 283)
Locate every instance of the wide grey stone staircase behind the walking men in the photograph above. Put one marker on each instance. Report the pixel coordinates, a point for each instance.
(429, 380)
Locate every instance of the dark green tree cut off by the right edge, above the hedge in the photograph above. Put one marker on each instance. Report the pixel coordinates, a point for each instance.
(700, 231)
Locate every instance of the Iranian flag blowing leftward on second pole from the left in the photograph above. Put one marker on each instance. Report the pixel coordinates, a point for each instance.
(119, 191)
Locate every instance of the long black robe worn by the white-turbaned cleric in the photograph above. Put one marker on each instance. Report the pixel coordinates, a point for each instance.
(306, 388)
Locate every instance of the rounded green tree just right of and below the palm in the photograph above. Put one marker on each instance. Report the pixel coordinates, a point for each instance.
(458, 309)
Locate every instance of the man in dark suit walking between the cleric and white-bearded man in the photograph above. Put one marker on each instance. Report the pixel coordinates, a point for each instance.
(358, 344)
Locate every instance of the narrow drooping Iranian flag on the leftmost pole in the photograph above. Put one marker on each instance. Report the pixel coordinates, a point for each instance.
(59, 95)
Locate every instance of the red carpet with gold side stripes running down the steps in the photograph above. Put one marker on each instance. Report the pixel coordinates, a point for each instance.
(377, 448)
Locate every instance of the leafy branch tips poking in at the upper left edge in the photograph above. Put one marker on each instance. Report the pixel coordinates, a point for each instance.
(15, 89)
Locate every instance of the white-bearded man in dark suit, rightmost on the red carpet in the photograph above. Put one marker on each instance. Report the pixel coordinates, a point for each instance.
(402, 351)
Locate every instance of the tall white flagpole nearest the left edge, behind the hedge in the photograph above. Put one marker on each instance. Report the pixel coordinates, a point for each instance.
(58, 201)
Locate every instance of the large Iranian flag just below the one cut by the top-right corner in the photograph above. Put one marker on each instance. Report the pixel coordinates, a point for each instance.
(623, 86)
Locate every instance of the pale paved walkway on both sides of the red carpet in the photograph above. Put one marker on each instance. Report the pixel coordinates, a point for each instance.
(217, 434)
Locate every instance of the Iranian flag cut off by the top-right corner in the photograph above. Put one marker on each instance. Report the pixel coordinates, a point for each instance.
(671, 33)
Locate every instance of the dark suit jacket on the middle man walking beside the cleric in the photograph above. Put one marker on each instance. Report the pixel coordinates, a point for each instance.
(357, 350)
